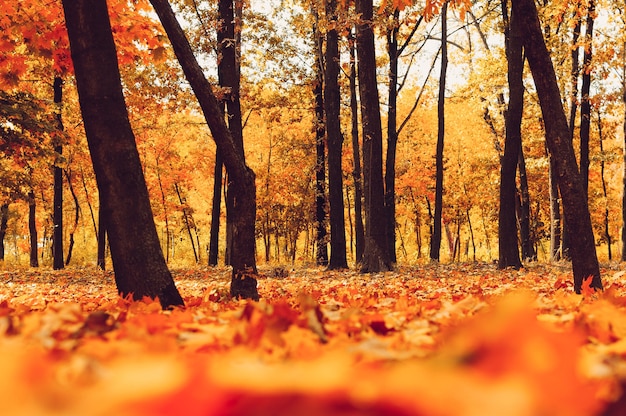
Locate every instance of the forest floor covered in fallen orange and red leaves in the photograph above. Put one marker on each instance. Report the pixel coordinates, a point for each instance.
(462, 339)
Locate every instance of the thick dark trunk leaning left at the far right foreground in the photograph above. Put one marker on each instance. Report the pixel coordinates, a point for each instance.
(575, 208)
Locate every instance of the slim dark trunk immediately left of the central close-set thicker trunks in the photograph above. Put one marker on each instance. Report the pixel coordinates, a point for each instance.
(321, 243)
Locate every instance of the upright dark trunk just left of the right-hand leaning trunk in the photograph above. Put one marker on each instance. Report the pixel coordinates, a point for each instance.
(507, 225)
